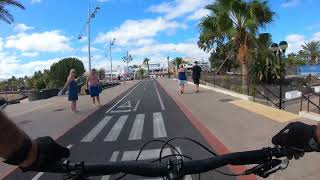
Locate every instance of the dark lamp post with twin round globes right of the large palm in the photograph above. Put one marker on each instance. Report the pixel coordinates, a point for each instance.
(280, 51)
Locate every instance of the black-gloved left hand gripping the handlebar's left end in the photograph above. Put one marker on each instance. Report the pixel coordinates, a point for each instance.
(48, 154)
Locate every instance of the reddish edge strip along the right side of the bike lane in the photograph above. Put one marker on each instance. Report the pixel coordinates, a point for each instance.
(211, 139)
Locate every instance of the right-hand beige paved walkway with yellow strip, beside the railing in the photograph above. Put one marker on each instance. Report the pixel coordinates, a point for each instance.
(240, 128)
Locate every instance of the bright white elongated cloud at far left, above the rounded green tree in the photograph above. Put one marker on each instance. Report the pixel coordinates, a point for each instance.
(49, 41)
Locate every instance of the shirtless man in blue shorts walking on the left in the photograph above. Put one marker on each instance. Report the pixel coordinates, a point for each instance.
(94, 89)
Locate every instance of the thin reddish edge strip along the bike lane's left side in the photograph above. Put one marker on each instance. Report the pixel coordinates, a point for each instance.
(10, 170)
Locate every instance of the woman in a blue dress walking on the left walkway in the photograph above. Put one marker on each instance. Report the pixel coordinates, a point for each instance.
(71, 84)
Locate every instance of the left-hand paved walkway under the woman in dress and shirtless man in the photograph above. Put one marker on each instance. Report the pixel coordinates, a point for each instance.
(53, 117)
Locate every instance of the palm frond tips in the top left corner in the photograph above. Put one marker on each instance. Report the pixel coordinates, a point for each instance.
(4, 13)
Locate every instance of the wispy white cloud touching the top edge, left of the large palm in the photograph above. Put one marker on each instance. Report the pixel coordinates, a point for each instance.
(179, 8)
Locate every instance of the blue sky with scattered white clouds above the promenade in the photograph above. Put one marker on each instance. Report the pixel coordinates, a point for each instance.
(48, 31)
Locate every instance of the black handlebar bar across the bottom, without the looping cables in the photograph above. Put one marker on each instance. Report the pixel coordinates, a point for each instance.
(178, 167)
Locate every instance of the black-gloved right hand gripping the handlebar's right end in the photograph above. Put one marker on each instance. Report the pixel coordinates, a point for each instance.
(299, 136)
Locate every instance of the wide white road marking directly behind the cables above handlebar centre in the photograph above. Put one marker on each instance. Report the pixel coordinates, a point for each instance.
(145, 154)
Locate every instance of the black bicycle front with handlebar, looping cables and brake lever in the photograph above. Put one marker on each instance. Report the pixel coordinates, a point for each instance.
(176, 166)
